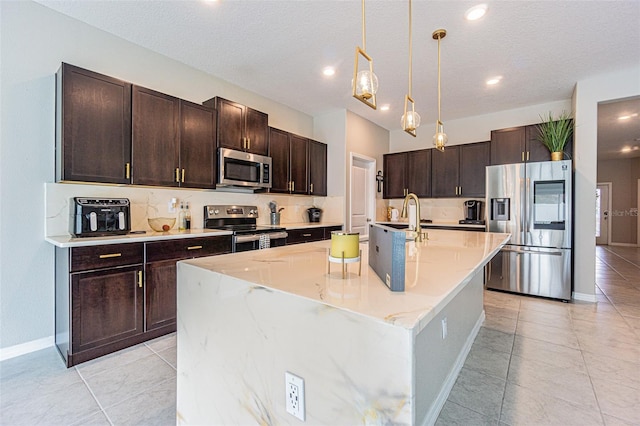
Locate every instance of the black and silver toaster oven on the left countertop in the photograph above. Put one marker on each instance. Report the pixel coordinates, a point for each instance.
(99, 217)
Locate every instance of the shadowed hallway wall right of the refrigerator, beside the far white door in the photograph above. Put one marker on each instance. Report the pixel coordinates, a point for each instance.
(623, 175)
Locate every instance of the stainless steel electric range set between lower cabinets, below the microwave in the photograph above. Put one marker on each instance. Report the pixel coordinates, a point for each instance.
(247, 235)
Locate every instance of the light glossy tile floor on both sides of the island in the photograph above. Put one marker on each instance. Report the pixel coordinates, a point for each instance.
(534, 362)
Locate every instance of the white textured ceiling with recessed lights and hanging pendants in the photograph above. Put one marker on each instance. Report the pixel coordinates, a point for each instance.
(277, 48)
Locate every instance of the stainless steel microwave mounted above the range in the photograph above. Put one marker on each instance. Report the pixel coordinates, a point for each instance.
(243, 169)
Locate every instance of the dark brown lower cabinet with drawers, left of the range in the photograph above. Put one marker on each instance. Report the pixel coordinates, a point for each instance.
(113, 296)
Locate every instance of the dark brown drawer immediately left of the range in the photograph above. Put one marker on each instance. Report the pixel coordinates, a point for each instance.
(188, 248)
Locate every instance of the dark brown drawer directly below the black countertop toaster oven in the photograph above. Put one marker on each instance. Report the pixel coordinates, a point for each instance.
(106, 256)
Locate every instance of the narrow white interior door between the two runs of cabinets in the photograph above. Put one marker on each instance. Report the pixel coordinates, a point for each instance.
(361, 194)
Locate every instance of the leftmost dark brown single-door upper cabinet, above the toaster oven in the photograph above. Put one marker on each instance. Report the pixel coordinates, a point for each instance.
(94, 126)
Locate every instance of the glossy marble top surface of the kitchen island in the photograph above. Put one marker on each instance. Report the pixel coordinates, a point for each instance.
(436, 270)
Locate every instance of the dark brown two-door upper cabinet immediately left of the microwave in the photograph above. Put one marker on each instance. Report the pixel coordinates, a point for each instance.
(173, 141)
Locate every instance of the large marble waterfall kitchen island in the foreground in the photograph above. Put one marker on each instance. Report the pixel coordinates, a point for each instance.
(366, 354)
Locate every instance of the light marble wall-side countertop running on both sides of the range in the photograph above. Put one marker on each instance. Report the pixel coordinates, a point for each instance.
(64, 241)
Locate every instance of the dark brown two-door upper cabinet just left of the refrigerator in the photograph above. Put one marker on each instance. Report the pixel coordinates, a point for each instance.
(459, 171)
